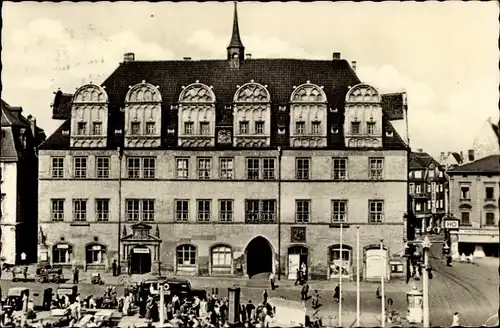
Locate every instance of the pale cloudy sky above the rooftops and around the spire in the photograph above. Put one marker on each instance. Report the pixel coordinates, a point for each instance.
(443, 54)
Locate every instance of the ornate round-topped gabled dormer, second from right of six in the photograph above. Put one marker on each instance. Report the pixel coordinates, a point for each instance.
(308, 109)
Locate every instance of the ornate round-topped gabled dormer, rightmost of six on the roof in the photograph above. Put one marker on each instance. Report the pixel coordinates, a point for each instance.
(363, 117)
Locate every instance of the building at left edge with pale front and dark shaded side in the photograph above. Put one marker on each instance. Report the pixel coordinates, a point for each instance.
(18, 185)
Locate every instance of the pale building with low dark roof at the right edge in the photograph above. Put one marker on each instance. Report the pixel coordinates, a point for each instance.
(474, 200)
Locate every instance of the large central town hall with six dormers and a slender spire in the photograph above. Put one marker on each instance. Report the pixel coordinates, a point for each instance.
(225, 167)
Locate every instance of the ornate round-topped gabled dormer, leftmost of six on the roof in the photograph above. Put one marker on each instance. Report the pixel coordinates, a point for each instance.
(89, 117)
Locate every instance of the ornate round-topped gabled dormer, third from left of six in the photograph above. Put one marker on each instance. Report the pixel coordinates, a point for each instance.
(196, 116)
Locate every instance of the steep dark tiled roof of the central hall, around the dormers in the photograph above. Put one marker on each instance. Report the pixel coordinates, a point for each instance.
(279, 75)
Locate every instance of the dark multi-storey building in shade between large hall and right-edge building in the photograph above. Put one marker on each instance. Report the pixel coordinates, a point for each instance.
(428, 190)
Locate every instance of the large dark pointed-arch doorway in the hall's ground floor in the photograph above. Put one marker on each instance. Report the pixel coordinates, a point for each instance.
(259, 256)
